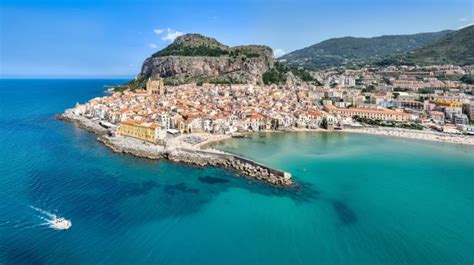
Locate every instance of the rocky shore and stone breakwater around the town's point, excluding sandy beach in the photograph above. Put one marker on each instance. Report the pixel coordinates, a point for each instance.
(182, 152)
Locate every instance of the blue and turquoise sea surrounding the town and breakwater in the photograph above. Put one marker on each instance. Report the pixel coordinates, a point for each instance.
(362, 199)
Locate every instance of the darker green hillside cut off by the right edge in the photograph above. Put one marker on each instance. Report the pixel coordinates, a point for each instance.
(455, 48)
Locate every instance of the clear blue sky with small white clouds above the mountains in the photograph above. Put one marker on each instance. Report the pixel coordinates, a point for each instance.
(112, 38)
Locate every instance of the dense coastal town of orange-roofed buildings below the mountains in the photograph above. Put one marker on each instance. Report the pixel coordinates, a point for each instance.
(402, 100)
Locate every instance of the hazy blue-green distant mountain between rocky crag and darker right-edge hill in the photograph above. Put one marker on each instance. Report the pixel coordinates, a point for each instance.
(351, 50)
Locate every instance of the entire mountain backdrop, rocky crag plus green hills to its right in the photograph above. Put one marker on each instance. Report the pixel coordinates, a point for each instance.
(197, 58)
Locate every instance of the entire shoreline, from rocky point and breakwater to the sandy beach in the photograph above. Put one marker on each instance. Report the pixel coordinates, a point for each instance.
(181, 150)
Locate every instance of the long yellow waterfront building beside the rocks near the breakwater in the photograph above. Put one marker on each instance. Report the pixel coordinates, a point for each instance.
(146, 131)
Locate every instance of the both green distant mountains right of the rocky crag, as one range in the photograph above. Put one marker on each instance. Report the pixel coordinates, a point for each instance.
(446, 46)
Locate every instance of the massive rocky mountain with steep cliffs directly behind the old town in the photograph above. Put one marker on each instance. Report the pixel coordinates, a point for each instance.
(197, 58)
